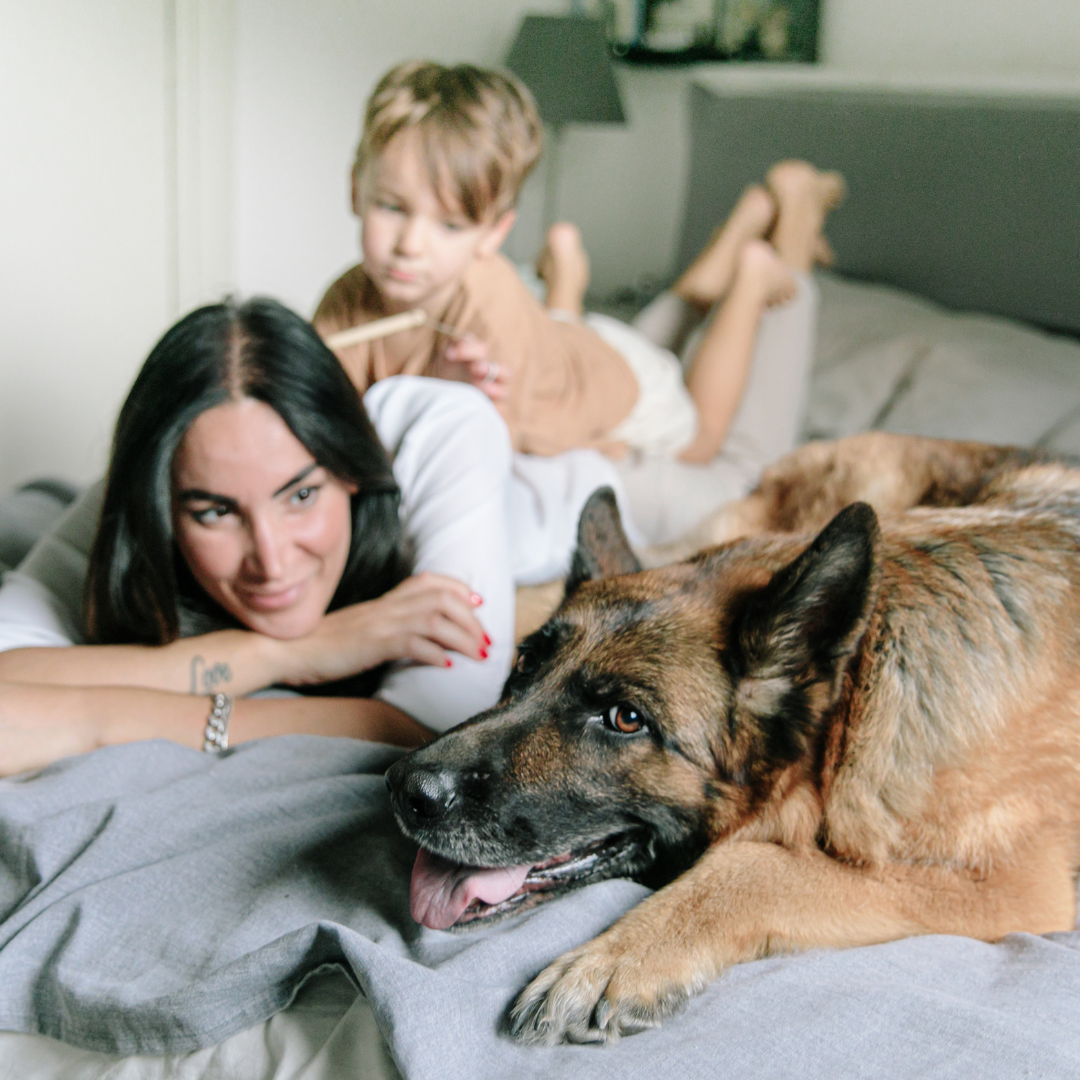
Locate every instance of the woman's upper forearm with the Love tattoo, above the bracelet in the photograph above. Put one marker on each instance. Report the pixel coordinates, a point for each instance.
(235, 661)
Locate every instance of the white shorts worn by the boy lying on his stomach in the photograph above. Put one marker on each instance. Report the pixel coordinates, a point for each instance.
(665, 420)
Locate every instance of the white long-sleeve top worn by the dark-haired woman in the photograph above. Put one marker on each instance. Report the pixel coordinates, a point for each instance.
(474, 510)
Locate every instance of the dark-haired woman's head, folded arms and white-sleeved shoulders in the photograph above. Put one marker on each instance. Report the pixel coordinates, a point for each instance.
(254, 534)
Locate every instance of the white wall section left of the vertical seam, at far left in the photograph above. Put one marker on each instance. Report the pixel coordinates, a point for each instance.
(83, 221)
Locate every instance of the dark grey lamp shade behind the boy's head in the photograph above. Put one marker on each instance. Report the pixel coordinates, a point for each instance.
(564, 61)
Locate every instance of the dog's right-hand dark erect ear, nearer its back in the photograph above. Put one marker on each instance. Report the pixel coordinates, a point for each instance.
(808, 620)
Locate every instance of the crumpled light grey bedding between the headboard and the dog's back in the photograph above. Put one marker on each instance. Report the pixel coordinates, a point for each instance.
(892, 361)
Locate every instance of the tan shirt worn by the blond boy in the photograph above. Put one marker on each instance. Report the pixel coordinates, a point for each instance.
(568, 387)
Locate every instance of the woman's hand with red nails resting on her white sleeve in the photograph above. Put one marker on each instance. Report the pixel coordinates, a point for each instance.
(426, 617)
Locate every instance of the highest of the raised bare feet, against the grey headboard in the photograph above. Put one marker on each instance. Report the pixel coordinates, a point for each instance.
(804, 196)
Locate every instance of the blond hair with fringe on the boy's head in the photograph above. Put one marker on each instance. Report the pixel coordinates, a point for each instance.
(480, 131)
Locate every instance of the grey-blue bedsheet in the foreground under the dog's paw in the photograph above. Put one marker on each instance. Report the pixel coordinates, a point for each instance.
(154, 899)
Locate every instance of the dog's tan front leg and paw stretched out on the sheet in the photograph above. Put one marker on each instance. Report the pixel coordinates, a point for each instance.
(746, 900)
